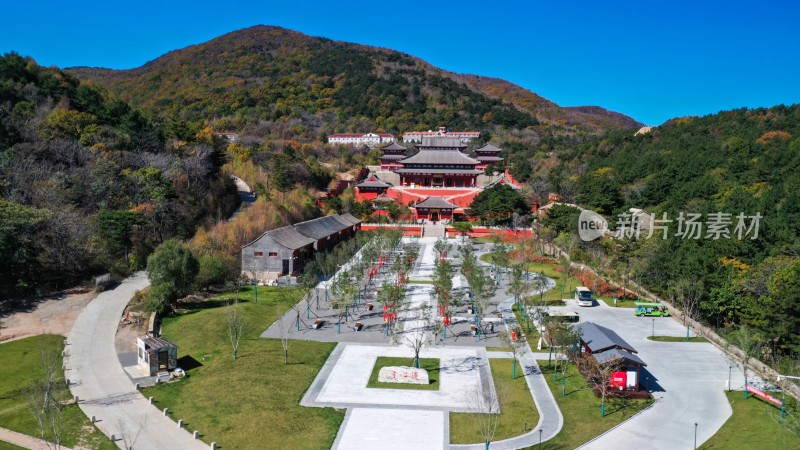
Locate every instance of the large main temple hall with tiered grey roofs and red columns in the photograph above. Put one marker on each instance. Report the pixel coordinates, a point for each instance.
(440, 162)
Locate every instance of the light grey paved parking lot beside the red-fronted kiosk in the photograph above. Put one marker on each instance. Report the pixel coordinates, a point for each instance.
(688, 381)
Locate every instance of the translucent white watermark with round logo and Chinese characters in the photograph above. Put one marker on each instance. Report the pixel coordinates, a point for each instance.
(638, 225)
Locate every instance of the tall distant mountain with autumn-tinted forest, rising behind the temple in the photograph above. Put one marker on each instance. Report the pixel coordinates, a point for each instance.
(268, 74)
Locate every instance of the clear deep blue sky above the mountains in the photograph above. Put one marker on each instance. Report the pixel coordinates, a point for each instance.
(650, 60)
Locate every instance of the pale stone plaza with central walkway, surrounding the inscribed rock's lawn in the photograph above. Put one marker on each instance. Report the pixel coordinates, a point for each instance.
(403, 418)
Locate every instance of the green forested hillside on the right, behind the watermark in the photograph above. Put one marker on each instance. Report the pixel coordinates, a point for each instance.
(745, 161)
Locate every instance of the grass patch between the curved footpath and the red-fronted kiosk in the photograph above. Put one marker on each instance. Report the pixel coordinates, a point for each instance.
(581, 409)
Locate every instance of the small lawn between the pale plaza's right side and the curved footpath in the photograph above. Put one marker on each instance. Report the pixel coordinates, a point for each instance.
(518, 413)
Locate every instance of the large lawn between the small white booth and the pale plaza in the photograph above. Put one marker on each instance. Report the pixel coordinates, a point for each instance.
(252, 402)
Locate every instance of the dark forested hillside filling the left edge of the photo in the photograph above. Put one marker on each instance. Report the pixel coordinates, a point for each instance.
(88, 184)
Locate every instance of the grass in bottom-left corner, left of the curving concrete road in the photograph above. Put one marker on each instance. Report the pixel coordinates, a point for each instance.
(22, 365)
